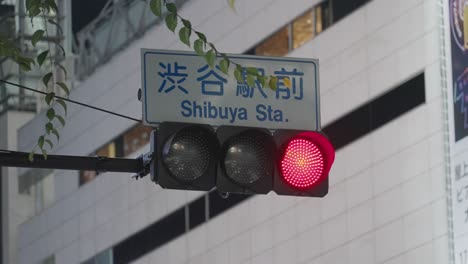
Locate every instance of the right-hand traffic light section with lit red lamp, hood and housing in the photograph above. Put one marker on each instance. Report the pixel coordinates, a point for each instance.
(303, 164)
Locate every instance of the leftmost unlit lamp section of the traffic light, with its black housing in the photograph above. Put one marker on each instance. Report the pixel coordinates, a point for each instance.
(187, 156)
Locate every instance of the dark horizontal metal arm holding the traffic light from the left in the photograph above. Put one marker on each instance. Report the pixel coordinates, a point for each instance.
(61, 162)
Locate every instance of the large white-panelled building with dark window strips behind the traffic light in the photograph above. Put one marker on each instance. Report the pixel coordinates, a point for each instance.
(385, 100)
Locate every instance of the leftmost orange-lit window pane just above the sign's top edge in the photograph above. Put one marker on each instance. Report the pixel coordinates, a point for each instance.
(275, 45)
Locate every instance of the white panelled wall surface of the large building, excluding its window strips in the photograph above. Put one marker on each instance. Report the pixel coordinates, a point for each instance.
(387, 197)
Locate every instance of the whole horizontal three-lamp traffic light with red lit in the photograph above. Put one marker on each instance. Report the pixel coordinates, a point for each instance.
(237, 159)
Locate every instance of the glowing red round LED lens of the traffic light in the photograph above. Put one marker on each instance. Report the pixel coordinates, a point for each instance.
(302, 163)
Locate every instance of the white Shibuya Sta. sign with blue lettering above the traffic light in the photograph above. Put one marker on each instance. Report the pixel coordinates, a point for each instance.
(180, 87)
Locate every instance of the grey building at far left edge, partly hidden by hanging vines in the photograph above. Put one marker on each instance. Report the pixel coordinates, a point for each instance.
(17, 107)
